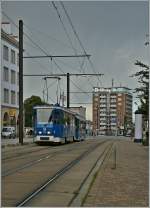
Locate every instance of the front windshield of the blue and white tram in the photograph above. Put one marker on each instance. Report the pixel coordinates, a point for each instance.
(43, 115)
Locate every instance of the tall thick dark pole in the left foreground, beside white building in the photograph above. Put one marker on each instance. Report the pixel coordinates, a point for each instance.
(21, 82)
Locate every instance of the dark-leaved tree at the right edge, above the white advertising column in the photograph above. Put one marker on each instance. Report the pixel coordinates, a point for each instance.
(143, 90)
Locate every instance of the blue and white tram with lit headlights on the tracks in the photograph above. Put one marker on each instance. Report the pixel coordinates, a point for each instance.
(57, 124)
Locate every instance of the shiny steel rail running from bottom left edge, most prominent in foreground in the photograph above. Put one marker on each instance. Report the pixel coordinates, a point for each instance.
(58, 174)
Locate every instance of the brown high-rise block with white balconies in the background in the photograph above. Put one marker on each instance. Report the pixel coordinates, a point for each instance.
(112, 110)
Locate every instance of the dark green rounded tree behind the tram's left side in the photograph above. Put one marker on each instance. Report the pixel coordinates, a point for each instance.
(28, 108)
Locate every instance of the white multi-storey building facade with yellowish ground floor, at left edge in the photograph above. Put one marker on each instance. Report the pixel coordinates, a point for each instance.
(9, 80)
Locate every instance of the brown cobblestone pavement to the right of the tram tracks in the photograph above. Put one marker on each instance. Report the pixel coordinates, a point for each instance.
(127, 184)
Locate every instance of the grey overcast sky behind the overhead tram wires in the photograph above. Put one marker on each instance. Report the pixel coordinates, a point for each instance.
(112, 32)
